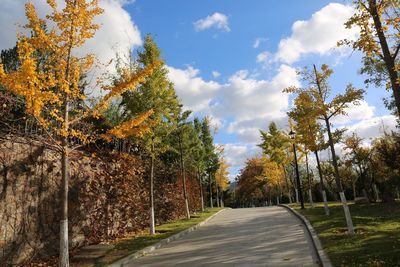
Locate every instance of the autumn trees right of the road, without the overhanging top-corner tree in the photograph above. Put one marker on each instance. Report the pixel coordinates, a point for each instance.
(364, 169)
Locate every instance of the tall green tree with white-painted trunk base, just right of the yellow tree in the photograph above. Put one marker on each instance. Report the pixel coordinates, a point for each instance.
(157, 94)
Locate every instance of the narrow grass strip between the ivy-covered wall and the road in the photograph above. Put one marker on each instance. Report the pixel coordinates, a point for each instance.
(130, 244)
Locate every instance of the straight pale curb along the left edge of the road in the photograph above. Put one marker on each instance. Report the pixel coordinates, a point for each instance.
(124, 261)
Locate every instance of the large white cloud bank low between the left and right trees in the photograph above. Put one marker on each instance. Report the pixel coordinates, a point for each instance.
(248, 103)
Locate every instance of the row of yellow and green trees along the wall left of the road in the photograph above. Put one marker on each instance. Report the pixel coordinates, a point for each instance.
(43, 80)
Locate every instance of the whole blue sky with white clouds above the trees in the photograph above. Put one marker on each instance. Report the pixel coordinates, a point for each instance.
(230, 59)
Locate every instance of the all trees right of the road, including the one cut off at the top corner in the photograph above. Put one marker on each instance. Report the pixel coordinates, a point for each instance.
(315, 107)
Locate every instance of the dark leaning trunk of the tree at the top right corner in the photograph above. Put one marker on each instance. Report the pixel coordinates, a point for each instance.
(388, 58)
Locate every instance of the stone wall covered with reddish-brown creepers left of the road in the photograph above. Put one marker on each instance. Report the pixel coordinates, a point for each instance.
(108, 198)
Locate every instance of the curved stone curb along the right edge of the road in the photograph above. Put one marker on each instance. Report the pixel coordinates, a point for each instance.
(321, 255)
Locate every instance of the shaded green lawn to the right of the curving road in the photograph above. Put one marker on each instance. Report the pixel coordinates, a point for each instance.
(377, 239)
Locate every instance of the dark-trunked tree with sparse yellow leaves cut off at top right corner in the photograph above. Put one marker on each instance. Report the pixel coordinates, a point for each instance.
(379, 40)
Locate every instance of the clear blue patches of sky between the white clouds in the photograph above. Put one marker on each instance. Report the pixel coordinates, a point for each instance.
(232, 48)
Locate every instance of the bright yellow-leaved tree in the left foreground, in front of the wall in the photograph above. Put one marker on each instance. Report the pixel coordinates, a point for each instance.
(52, 87)
